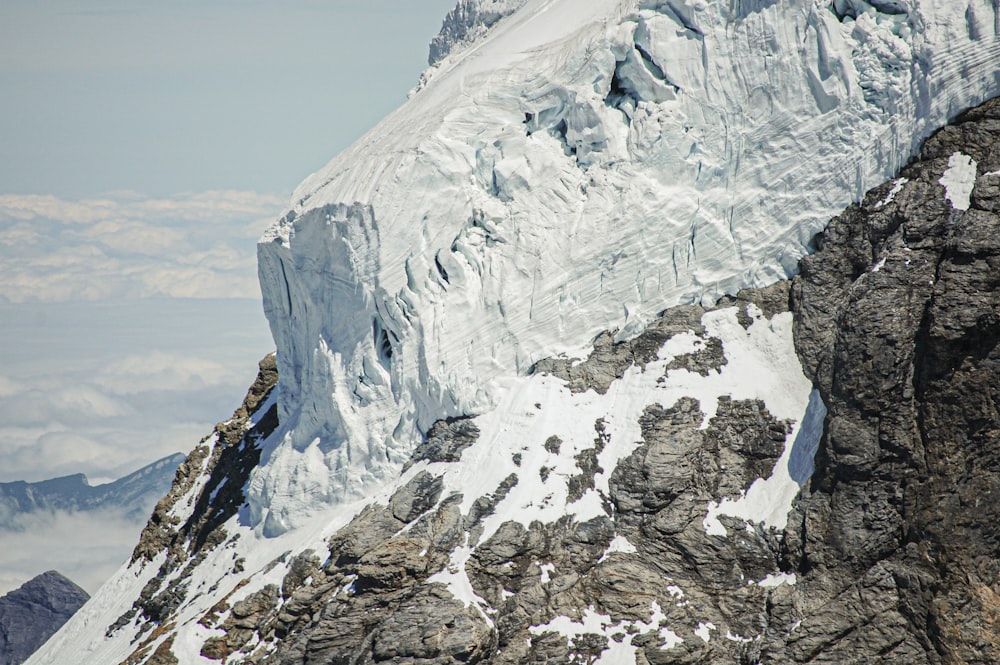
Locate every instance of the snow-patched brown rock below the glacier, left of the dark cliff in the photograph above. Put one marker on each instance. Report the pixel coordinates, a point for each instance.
(385, 591)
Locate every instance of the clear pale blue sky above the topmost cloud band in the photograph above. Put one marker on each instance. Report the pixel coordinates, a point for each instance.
(174, 96)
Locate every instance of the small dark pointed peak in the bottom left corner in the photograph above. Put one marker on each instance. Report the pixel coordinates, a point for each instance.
(30, 614)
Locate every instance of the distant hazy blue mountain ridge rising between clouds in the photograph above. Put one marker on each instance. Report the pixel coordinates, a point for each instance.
(136, 493)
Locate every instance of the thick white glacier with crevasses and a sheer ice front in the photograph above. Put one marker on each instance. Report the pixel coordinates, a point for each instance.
(573, 167)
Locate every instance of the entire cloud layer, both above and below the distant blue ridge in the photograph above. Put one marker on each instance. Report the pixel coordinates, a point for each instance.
(130, 325)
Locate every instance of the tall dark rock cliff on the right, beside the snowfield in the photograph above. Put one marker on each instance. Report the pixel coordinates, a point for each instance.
(898, 322)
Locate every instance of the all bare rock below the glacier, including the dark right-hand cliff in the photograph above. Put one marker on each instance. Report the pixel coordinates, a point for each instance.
(890, 554)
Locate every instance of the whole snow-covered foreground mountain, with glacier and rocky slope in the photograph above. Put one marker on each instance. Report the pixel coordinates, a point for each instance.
(546, 393)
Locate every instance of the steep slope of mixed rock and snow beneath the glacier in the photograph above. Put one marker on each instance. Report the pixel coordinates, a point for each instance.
(643, 507)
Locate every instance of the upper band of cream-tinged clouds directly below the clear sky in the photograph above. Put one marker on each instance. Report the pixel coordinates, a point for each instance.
(126, 245)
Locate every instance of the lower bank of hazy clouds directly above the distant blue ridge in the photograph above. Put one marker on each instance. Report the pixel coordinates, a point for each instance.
(103, 388)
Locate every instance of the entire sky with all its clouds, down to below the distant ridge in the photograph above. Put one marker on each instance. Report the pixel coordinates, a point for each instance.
(145, 148)
